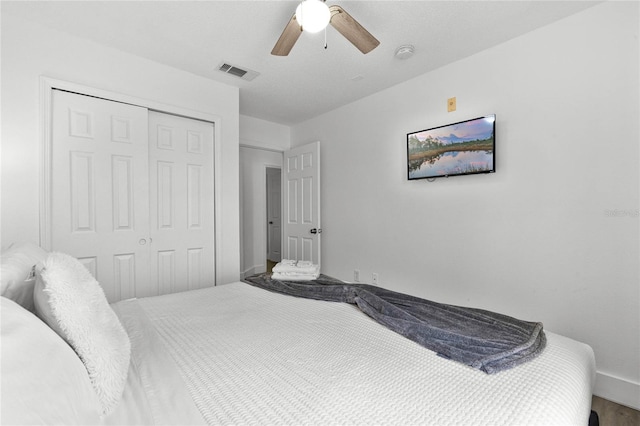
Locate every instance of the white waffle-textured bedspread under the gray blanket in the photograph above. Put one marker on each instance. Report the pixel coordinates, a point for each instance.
(249, 356)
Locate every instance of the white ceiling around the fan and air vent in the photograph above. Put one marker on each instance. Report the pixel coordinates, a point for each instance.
(197, 36)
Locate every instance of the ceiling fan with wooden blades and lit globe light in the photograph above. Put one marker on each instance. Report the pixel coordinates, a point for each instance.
(314, 16)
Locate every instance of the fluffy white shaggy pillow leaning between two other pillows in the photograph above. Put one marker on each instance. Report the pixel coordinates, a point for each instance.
(72, 303)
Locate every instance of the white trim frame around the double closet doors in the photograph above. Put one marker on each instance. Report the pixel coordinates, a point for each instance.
(47, 85)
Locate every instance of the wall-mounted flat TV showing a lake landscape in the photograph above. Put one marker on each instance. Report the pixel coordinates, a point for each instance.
(463, 148)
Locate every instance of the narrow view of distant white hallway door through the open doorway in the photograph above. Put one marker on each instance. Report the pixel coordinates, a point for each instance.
(274, 214)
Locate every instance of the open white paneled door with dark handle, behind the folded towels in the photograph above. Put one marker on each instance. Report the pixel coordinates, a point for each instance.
(302, 228)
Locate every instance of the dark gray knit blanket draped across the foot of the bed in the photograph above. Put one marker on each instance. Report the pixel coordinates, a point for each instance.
(483, 340)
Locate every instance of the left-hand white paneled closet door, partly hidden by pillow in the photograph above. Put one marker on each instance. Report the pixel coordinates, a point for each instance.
(99, 189)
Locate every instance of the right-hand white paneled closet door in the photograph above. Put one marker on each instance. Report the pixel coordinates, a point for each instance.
(181, 195)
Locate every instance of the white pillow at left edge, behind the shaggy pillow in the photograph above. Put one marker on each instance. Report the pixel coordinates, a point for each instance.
(16, 266)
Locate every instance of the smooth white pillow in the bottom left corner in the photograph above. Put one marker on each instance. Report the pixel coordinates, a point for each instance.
(43, 380)
